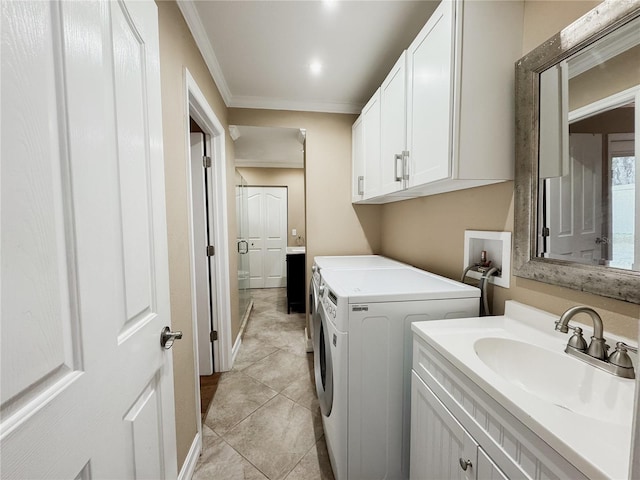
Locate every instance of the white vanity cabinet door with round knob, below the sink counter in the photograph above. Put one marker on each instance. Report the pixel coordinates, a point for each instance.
(439, 444)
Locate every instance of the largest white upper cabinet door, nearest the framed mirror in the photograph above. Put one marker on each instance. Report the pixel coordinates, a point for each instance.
(430, 98)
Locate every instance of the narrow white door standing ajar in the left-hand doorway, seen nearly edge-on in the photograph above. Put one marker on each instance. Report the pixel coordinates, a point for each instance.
(204, 275)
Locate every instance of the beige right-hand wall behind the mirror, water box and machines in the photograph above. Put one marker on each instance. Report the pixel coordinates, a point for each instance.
(429, 232)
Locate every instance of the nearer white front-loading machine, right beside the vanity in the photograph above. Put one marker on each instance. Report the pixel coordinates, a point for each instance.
(364, 361)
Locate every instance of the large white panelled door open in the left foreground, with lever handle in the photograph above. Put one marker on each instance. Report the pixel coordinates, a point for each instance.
(87, 390)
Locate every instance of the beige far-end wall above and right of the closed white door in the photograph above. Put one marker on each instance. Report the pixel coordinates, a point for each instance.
(293, 179)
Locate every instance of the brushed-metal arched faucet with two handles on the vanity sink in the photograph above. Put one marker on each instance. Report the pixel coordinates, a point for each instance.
(618, 363)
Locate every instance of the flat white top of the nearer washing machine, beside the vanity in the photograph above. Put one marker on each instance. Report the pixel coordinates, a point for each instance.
(394, 285)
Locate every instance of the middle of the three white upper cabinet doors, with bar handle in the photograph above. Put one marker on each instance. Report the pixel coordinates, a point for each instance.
(393, 126)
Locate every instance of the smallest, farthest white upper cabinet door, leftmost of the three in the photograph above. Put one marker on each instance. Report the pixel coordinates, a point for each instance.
(371, 146)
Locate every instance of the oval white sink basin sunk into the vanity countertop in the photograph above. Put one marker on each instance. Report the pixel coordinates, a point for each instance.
(558, 379)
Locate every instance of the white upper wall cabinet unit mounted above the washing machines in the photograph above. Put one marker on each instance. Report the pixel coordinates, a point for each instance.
(455, 129)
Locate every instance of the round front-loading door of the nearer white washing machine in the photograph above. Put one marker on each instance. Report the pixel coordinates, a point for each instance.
(323, 365)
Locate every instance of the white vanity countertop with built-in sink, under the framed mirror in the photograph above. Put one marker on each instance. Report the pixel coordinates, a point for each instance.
(518, 358)
